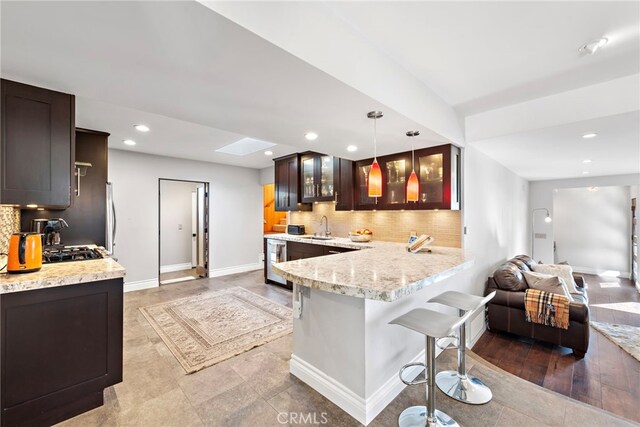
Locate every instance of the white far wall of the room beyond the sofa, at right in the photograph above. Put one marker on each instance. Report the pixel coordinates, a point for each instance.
(592, 228)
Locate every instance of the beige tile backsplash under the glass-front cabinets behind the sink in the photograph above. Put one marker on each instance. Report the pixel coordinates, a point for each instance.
(394, 226)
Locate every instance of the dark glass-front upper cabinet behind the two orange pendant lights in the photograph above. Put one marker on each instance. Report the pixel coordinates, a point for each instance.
(438, 170)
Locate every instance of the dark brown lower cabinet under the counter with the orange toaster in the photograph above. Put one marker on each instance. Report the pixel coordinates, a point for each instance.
(60, 348)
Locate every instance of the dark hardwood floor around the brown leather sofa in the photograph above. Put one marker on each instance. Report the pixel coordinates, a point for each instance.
(607, 377)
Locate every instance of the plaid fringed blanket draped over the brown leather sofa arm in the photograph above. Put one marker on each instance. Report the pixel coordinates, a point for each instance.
(546, 308)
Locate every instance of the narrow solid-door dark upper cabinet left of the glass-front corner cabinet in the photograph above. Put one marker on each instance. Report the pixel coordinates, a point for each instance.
(287, 184)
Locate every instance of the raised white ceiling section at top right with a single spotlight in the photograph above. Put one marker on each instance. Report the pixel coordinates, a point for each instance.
(483, 55)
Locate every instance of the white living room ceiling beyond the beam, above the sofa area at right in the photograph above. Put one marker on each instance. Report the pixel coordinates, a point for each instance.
(558, 152)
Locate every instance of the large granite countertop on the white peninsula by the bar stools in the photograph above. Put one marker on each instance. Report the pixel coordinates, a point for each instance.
(384, 271)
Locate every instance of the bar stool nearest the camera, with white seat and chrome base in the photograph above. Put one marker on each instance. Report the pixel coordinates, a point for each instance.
(432, 325)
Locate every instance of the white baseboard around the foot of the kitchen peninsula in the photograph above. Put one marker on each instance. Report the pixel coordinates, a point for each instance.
(363, 410)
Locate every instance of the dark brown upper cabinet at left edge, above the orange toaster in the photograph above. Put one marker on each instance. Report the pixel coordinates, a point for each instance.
(37, 146)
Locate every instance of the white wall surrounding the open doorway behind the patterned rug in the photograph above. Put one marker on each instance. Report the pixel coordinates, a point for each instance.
(235, 215)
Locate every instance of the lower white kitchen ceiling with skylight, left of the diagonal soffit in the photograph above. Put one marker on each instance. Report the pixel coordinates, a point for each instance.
(191, 69)
